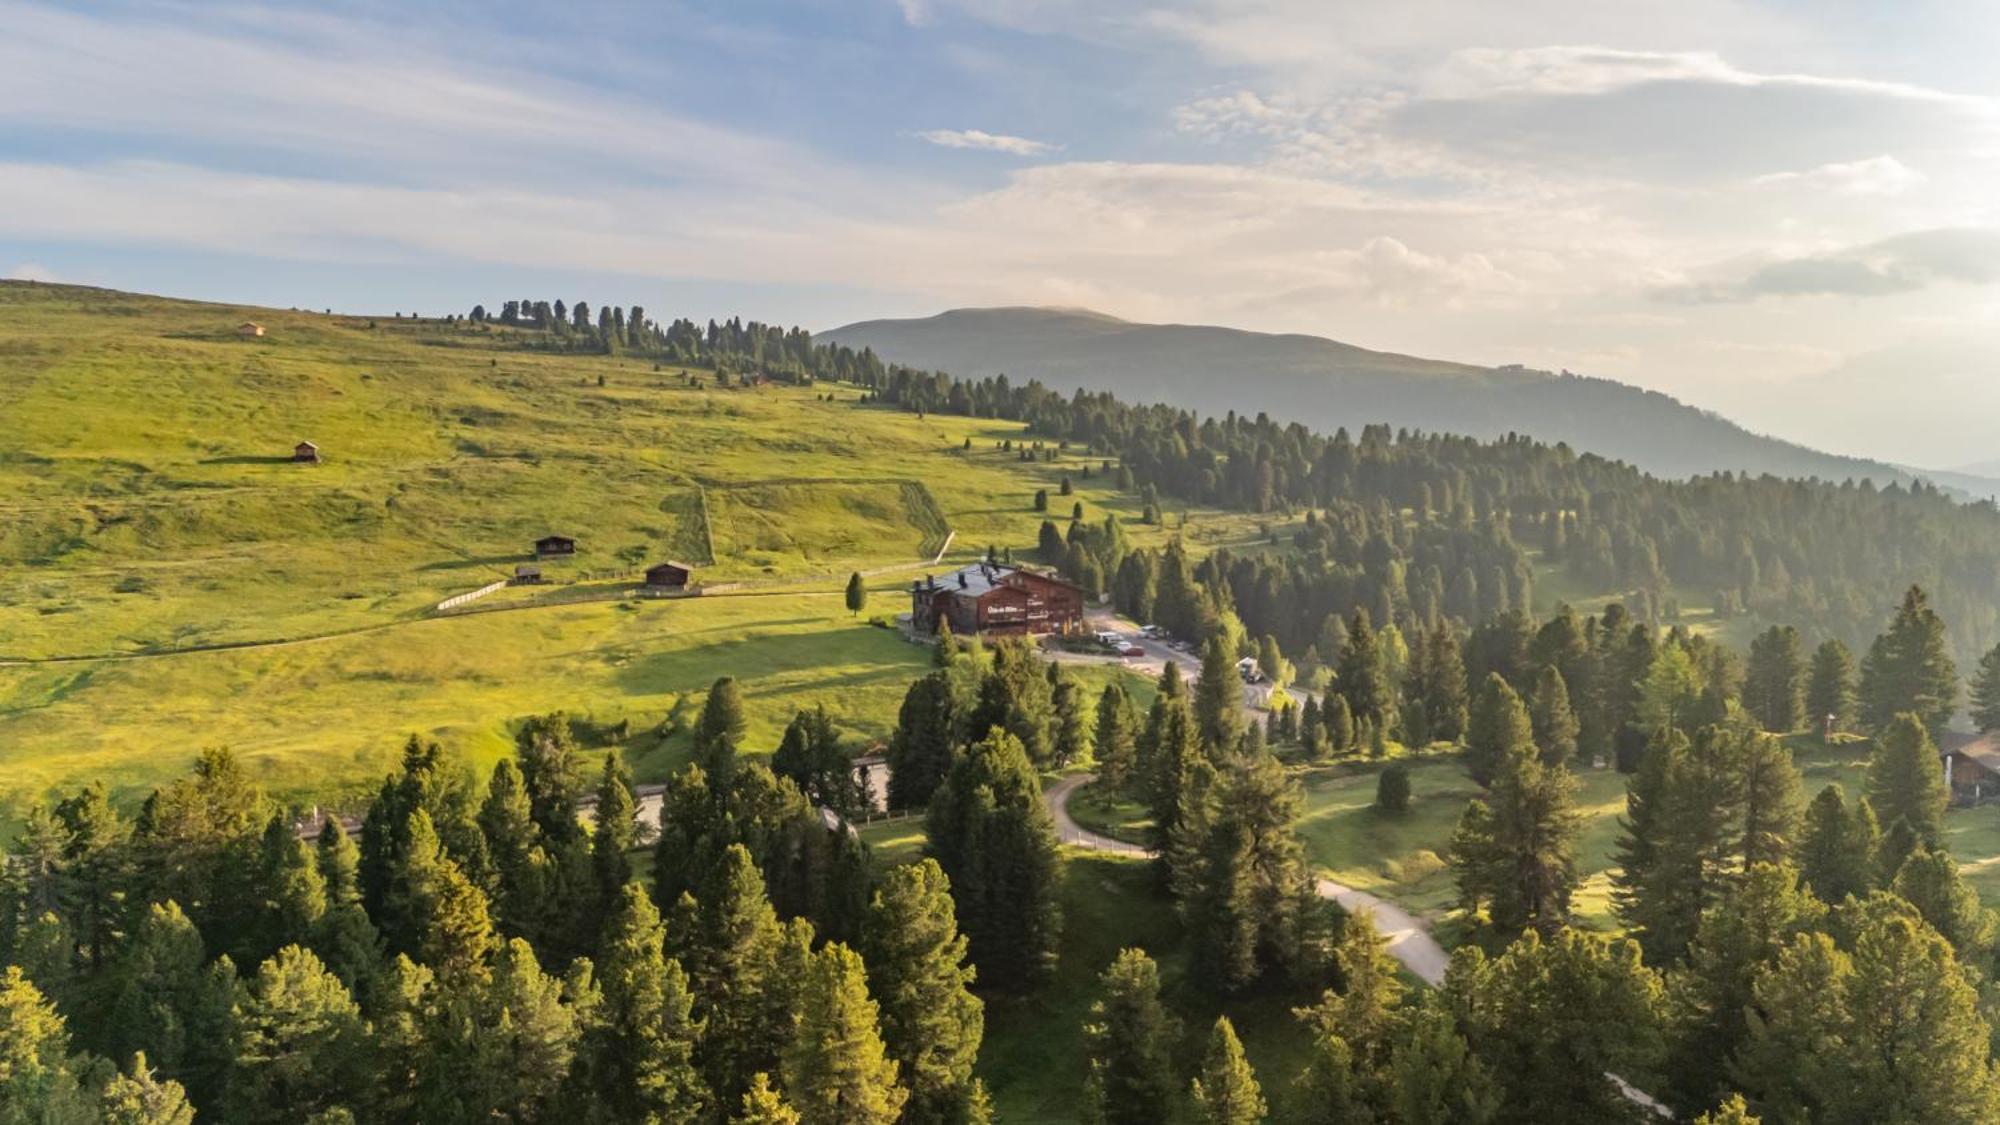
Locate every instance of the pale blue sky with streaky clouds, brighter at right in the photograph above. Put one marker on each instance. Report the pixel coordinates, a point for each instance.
(1783, 211)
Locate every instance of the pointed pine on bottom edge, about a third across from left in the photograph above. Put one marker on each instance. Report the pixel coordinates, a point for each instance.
(641, 1054)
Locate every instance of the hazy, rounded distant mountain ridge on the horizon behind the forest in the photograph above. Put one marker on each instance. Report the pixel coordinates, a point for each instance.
(1327, 383)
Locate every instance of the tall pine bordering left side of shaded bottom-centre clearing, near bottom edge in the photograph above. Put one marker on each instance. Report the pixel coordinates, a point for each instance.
(931, 1020)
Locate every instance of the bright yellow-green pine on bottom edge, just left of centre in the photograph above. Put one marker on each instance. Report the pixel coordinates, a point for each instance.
(837, 1070)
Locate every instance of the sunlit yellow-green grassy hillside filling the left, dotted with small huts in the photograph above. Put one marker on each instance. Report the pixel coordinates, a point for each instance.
(147, 509)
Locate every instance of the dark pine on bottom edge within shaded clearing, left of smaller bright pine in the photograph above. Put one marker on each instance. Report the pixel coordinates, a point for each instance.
(1129, 1044)
